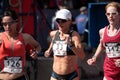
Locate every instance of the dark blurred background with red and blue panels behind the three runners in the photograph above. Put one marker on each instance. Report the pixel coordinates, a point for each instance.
(36, 18)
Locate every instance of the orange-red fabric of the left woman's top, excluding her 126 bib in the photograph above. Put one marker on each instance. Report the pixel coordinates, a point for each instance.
(5, 49)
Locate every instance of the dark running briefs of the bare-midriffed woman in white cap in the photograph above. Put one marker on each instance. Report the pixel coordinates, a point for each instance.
(69, 76)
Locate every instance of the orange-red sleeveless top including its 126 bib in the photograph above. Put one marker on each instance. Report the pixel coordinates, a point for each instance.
(12, 55)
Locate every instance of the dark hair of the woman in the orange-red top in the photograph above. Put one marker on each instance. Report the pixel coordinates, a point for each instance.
(10, 13)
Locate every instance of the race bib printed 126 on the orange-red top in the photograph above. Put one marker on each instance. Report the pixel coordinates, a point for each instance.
(13, 64)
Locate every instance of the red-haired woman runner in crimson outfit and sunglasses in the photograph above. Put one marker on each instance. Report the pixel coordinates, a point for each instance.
(110, 41)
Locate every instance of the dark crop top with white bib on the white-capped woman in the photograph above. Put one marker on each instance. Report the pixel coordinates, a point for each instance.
(60, 47)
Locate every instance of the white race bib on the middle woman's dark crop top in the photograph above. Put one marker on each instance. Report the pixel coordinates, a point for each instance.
(60, 48)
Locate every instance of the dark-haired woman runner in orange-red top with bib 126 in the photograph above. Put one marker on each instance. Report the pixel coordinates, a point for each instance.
(12, 48)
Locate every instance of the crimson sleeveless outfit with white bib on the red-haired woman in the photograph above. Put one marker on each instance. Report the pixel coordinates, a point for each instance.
(112, 47)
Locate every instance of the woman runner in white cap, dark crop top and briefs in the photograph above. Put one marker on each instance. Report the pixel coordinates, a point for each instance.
(66, 47)
